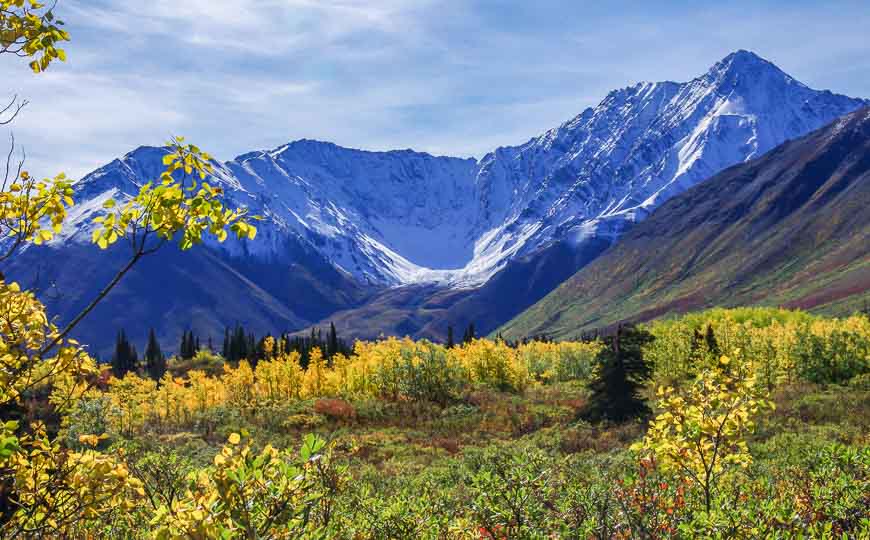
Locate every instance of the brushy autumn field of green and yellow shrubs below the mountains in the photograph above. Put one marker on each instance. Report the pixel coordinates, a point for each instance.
(759, 429)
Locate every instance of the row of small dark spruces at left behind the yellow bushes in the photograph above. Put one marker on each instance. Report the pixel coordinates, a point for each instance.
(238, 344)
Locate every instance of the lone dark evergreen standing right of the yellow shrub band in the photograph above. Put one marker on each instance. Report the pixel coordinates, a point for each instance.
(616, 391)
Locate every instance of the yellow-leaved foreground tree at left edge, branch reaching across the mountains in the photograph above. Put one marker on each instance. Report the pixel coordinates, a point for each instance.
(51, 489)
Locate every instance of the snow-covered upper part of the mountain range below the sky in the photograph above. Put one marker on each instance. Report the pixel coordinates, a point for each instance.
(402, 217)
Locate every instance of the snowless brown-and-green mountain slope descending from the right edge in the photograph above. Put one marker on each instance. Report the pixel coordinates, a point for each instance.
(788, 229)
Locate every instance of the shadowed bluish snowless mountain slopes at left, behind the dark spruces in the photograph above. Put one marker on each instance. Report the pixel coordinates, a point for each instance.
(200, 289)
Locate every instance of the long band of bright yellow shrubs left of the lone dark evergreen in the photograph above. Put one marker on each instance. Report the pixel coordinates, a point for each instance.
(392, 369)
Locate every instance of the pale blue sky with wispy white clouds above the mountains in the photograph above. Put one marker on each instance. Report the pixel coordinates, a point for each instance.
(447, 77)
